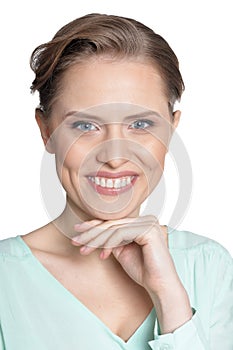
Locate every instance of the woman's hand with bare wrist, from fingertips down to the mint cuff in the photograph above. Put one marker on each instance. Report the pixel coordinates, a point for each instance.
(140, 246)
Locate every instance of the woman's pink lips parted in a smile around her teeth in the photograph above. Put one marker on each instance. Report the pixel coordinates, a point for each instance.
(113, 191)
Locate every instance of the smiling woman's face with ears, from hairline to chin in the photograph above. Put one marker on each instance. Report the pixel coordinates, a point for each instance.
(109, 129)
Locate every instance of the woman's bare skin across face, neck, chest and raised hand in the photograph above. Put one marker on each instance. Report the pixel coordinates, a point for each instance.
(115, 242)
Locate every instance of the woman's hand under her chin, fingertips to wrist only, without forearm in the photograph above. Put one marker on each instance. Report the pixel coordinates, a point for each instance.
(139, 244)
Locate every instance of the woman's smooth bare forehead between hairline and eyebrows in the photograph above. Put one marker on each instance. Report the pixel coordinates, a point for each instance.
(102, 81)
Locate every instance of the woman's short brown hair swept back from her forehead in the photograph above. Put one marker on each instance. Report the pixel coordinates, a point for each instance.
(95, 35)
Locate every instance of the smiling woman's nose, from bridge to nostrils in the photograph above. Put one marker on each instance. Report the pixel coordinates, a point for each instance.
(114, 150)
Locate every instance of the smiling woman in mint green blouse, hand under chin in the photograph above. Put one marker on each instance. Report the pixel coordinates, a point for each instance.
(100, 275)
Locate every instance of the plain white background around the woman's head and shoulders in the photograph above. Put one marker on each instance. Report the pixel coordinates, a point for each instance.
(200, 32)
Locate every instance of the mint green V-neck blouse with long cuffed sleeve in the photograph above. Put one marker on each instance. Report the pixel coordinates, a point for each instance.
(38, 313)
